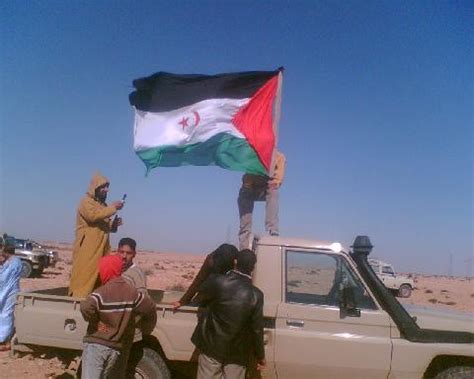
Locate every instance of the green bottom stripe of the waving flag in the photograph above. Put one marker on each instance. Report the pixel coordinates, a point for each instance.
(223, 150)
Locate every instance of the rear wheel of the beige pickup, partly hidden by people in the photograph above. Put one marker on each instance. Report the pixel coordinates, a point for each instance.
(146, 363)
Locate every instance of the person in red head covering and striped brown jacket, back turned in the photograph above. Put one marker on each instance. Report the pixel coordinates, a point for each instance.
(111, 311)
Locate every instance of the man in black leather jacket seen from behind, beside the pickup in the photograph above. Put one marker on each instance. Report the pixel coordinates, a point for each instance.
(230, 333)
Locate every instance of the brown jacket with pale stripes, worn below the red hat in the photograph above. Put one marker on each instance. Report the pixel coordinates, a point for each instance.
(111, 310)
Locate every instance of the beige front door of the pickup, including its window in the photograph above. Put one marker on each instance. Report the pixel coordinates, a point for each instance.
(312, 338)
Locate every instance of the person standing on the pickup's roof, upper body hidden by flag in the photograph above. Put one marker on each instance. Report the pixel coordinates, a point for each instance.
(260, 188)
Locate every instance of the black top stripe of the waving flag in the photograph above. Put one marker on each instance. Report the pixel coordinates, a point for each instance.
(164, 91)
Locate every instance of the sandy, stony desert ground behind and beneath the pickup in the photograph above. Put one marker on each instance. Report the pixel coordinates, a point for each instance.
(172, 271)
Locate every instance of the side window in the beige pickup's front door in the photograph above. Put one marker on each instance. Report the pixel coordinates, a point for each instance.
(316, 278)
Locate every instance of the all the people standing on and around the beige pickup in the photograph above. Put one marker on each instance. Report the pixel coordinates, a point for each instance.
(118, 309)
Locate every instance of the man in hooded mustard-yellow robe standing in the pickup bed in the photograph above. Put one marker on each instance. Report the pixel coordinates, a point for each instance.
(93, 225)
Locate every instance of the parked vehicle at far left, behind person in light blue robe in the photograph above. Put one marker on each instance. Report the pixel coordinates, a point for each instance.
(34, 257)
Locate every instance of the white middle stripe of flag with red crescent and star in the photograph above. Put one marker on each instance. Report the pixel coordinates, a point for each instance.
(188, 125)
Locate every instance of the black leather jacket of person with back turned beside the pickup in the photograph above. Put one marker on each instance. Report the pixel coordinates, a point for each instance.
(232, 328)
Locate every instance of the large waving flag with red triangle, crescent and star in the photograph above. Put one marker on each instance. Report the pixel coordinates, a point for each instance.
(228, 120)
